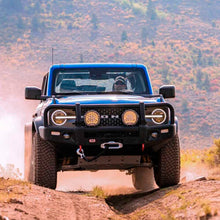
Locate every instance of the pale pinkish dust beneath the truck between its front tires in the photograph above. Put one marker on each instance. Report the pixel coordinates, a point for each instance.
(111, 181)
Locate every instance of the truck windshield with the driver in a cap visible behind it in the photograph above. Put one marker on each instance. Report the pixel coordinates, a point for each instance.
(99, 80)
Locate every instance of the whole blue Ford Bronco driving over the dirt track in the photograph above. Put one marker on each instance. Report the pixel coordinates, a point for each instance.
(98, 117)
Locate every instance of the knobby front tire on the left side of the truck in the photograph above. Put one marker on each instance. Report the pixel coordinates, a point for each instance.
(43, 163)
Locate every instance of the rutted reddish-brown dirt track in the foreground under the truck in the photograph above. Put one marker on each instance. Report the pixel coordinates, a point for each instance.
(191, 200)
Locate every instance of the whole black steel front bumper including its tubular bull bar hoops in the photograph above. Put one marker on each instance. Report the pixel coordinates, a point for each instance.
(92, 137)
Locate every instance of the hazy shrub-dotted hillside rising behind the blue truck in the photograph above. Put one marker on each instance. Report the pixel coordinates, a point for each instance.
(179, 41)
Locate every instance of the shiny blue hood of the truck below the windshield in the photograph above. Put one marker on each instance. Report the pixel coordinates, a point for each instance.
(106, 99)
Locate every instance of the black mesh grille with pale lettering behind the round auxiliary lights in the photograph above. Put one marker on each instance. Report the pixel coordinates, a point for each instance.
(110, 116)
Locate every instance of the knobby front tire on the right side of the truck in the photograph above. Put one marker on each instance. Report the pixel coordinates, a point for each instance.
(167, 164)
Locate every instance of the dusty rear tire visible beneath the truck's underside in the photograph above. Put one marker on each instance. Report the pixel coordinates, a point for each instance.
(143, 178)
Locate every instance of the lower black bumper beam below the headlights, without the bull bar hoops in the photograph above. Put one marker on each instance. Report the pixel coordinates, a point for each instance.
(148, 135)
